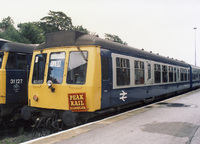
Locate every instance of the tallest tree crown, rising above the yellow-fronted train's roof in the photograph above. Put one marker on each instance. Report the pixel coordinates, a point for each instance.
(56, 21)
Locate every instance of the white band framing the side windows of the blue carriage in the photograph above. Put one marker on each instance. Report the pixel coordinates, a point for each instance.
(175, 71)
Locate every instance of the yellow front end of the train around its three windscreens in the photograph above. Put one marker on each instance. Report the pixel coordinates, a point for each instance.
(59, 99)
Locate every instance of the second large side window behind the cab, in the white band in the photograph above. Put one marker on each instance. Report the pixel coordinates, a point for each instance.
(139, 72)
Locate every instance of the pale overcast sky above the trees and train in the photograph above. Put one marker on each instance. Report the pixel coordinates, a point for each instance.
(161, 26)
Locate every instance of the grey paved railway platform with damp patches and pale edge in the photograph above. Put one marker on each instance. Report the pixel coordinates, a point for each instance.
(172, 121)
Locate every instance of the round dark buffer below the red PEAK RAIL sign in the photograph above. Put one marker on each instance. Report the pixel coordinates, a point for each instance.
(69, 118)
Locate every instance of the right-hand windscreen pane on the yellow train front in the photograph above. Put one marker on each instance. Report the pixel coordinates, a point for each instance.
(77, 67)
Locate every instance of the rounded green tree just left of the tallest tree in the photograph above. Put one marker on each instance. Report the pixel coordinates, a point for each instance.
(32, 32)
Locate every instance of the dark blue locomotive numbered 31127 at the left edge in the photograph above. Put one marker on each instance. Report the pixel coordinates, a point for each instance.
(15, 60)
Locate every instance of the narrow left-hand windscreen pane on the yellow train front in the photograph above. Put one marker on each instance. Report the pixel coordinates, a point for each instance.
(39, 68)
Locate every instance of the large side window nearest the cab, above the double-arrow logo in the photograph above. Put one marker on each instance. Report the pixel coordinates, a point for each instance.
(123, 71)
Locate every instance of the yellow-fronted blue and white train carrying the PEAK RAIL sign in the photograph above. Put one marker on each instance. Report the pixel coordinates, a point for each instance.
(74, 76)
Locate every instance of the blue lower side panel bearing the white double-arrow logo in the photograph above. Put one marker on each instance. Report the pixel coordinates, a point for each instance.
(140, 93)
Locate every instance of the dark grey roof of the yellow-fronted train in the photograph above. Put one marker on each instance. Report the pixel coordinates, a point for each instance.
(74, 38)
